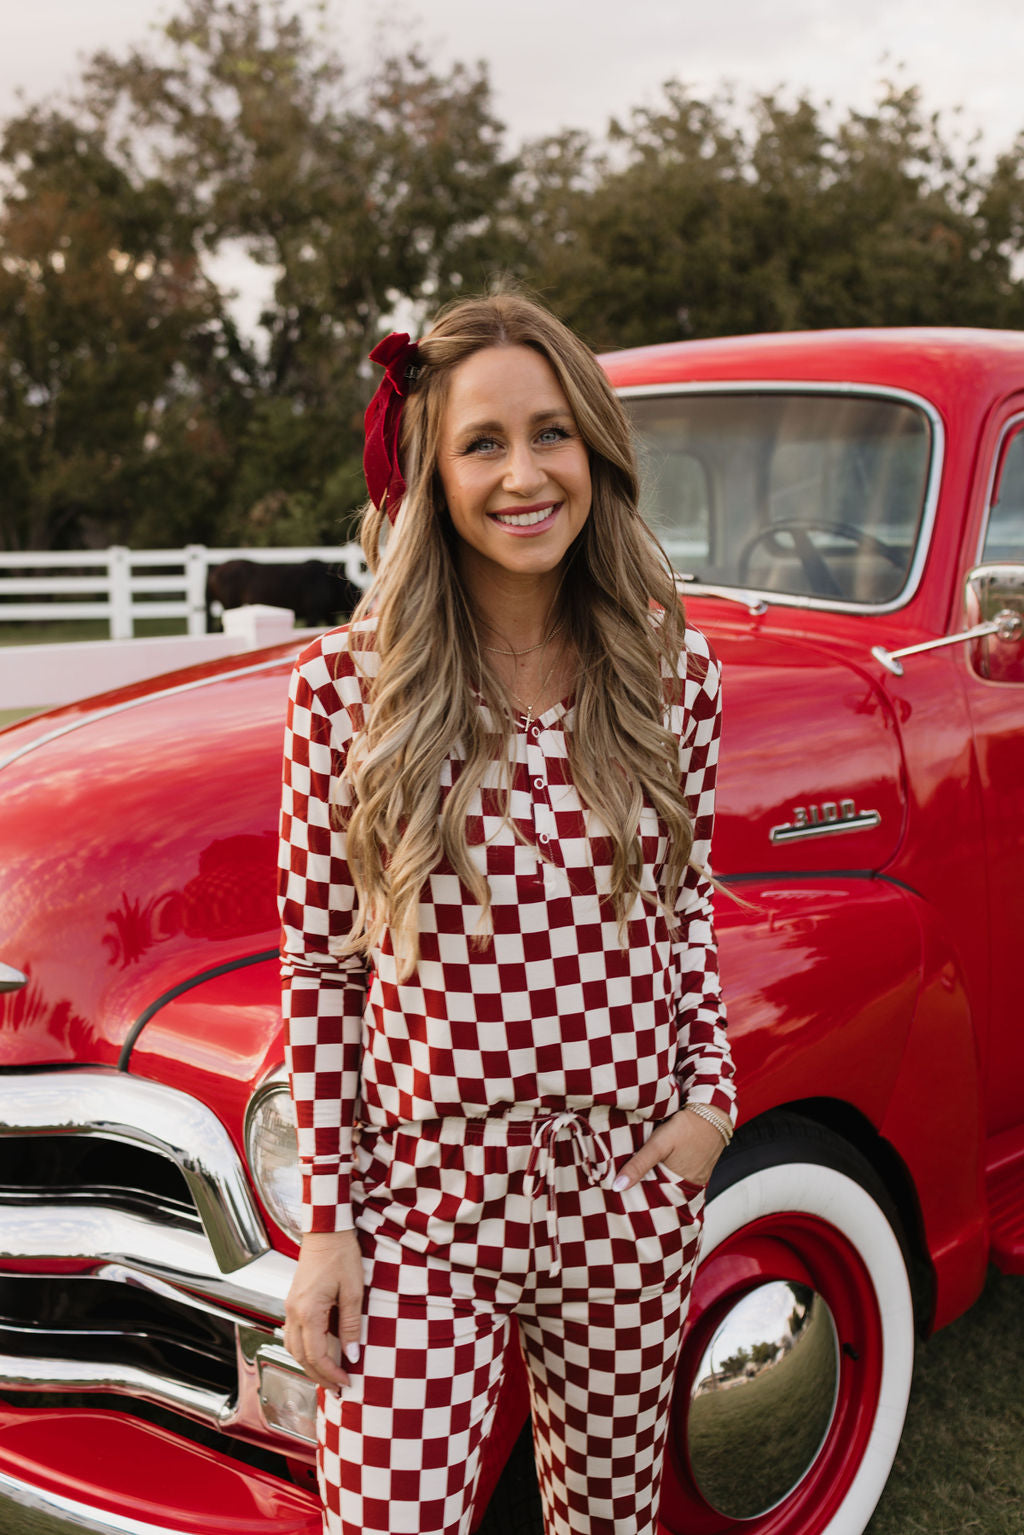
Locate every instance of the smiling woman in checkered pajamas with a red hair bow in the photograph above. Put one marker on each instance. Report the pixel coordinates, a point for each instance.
(506, 1035)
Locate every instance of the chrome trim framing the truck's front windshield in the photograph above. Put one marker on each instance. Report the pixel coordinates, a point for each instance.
(937, 460)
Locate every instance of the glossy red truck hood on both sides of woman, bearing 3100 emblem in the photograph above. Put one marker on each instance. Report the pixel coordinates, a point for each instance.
(139, 831)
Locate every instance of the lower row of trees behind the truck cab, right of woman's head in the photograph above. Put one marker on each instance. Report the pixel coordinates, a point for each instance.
(698, 220)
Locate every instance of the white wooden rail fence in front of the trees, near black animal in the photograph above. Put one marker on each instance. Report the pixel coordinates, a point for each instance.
(122, 586)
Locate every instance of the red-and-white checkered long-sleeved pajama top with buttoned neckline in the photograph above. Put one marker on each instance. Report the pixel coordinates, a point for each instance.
(552, 1011)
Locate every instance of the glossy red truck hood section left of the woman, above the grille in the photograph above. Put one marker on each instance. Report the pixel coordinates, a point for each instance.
(137, 853)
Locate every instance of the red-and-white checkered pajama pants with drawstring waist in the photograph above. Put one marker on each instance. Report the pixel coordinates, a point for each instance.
(475, 1227)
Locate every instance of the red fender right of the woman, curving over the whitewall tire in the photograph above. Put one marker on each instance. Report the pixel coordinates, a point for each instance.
(844, 989)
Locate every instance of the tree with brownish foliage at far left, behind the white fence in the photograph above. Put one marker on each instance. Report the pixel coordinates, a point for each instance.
(110, 335)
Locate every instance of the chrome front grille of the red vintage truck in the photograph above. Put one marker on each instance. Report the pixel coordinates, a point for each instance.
(137, 1261)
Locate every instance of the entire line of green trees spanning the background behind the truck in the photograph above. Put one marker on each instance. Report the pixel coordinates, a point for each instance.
(133, 409)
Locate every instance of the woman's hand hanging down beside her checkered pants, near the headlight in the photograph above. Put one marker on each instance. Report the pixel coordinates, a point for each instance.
(329, 1276)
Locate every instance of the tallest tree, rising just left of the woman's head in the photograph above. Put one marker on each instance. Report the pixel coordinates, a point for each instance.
(358, 196)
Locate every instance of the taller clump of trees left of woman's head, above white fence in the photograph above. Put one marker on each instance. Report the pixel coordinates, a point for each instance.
(133, 408)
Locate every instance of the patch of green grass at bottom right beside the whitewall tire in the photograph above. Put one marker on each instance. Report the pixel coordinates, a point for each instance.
(960, 1467)
